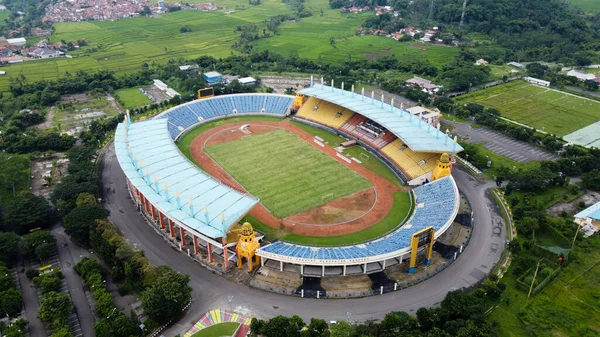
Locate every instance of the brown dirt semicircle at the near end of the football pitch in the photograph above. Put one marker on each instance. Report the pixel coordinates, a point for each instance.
(341, 210)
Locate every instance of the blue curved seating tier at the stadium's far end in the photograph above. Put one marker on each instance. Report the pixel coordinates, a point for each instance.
(186, 115)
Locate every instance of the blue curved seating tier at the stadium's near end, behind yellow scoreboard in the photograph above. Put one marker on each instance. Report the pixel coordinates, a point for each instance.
(436, 204)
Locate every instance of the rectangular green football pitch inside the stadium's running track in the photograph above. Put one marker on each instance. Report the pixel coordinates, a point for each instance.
(285, 172)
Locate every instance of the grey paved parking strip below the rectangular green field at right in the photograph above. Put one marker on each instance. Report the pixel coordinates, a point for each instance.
(501, 144)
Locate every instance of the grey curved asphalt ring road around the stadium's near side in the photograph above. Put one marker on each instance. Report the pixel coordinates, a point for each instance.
(211, 291)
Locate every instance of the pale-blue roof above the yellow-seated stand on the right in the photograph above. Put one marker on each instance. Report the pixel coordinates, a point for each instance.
(416, 134)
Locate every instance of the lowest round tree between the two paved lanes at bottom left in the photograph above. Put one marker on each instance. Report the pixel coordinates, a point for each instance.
(55, 309)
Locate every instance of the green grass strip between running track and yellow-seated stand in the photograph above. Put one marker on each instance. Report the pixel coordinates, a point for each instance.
(368, 160)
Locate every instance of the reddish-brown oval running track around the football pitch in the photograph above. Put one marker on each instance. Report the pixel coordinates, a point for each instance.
(385, 190)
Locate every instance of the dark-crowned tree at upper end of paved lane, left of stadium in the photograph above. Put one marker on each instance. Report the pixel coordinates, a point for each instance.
(78, 222)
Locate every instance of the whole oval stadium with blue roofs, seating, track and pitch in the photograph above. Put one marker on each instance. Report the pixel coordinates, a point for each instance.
(285, 178)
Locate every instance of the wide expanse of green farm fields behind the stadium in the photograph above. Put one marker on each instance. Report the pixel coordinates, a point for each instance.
(124, 45)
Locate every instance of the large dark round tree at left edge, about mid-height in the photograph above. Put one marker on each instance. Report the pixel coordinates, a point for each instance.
(27, 212)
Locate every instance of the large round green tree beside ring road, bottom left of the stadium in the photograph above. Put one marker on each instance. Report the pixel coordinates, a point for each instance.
(167, 298)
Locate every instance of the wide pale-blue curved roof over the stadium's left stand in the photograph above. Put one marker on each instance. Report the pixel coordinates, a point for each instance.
(156, 167)
